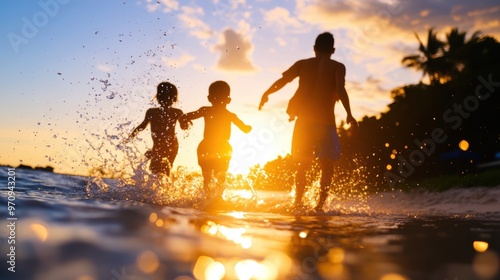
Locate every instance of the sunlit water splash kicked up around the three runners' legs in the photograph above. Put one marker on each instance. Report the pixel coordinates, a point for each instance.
(128, 165)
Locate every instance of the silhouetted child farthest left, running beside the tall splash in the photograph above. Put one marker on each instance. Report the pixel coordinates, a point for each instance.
(162, 120)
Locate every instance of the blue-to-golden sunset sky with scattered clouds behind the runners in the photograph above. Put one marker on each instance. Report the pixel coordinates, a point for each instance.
(78, 76)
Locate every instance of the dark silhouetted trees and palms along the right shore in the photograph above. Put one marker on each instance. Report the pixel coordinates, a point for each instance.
(448, 124)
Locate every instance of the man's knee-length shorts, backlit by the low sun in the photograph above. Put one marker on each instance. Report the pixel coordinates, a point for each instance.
(311, 140)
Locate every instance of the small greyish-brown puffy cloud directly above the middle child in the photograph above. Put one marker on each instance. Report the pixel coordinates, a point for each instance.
(235, 50)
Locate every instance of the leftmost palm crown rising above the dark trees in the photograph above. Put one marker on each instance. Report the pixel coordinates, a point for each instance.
(430, 58)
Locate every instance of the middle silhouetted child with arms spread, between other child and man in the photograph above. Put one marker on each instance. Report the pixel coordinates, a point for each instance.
(214, 151)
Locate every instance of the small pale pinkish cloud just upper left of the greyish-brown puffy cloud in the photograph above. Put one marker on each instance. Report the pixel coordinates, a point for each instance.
(190, 18)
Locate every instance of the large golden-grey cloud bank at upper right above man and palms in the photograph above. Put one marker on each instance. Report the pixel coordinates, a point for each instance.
(376, 35)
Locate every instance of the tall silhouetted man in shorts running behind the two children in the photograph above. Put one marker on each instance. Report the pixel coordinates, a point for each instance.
(321, 84)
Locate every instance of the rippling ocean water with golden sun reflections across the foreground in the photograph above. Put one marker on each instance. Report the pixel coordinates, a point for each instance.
(72, 227)
